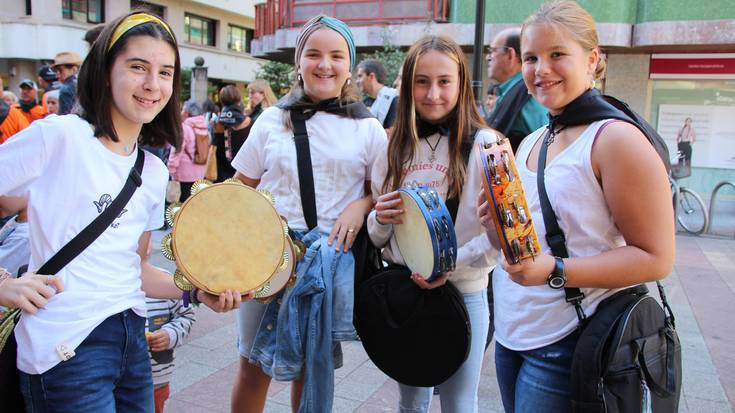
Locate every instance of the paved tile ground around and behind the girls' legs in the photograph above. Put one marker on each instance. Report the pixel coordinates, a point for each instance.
(701, 291)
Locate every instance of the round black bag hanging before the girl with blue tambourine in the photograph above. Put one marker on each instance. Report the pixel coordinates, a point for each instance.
(417, 337)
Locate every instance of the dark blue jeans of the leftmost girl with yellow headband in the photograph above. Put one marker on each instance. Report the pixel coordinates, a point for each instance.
(110, 373)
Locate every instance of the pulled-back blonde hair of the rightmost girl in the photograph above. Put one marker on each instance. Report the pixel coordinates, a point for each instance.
(574, 19)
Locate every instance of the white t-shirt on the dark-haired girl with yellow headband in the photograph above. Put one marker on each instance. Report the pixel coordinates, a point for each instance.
(69, 177)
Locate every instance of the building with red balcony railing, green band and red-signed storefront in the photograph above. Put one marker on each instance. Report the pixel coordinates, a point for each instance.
(669, 59)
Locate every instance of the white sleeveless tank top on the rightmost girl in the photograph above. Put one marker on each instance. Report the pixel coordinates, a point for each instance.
(532, 317)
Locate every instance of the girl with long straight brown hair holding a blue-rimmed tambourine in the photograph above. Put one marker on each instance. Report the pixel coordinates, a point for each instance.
(431, 144)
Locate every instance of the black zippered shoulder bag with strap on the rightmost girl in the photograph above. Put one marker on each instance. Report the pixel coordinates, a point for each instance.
(628, 355)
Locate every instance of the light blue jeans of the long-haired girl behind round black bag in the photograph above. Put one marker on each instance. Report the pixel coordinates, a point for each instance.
(459, 392)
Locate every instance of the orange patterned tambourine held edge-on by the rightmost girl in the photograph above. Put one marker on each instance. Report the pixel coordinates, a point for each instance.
(507, 200)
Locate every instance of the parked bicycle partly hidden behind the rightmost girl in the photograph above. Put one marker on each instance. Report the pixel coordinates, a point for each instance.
(689, 208)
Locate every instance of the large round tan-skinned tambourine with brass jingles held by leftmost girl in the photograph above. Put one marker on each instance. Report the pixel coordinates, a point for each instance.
(229, 236)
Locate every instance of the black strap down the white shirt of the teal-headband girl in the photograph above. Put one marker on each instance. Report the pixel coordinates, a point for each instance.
(303, 163)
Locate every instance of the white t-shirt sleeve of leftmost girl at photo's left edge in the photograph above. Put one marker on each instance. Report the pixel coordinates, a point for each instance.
(24, 158)
